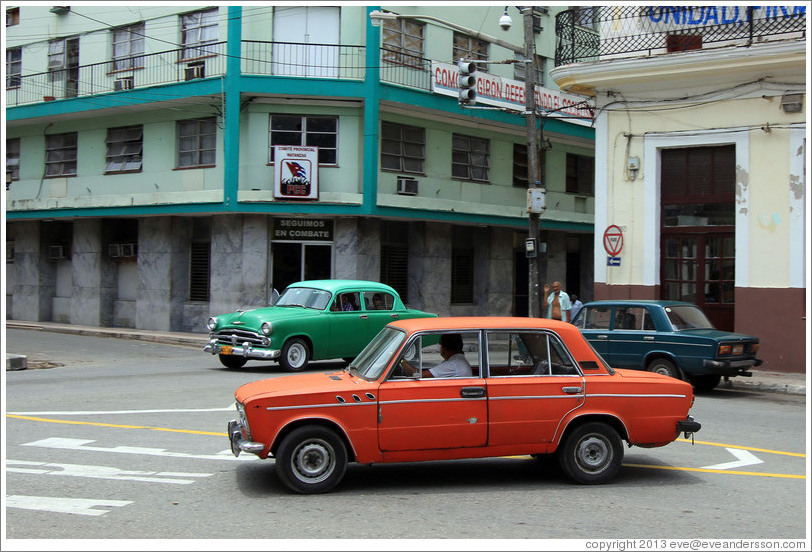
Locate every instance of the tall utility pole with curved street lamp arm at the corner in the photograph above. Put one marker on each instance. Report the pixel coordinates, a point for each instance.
(535, 191)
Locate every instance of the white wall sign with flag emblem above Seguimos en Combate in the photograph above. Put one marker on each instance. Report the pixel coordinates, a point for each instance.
(296, 172)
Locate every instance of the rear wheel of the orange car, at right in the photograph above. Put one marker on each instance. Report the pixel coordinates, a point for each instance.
(591, 454)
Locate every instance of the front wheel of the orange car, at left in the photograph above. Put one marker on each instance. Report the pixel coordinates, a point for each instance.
(311, 459)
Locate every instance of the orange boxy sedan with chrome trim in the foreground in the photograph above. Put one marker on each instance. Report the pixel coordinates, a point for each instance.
(460, 387)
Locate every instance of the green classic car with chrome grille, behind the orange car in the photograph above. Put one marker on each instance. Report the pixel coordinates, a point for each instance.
(311, 320)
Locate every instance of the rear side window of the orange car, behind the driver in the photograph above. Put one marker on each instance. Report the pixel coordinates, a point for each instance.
(527, 354)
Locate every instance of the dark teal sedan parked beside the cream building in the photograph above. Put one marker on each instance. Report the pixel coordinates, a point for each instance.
(667, 337)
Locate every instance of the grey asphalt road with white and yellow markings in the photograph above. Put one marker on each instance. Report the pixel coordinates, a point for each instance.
(117, 439)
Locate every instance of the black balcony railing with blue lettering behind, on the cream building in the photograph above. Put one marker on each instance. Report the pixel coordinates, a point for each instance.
(604, 32)
